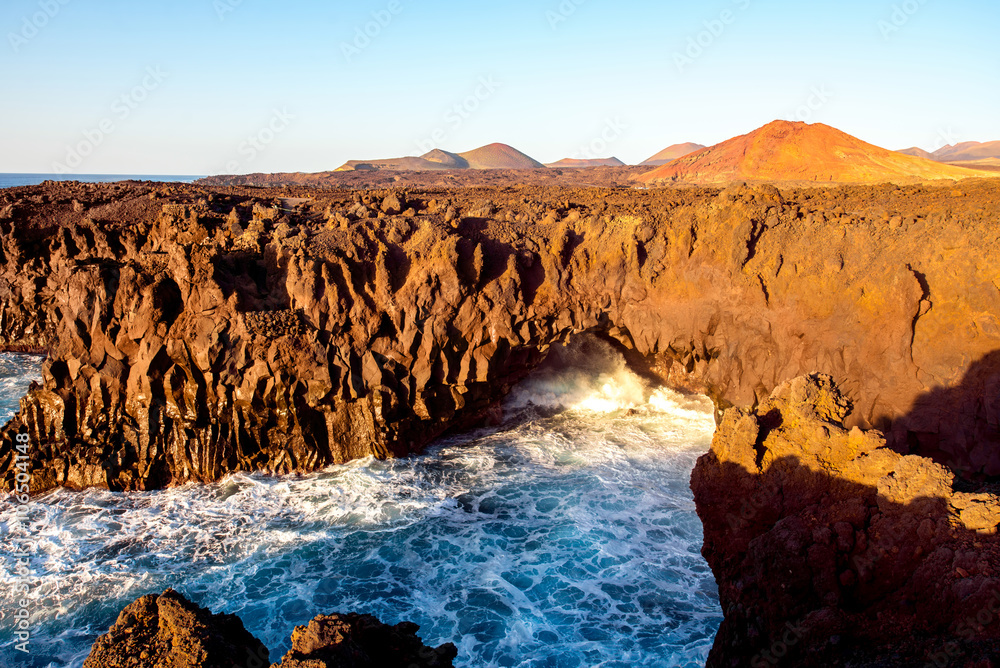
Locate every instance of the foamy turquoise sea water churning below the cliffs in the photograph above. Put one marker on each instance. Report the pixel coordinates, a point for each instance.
(567, 537)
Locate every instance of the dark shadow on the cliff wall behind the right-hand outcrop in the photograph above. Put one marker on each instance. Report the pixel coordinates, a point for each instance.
(956, 426)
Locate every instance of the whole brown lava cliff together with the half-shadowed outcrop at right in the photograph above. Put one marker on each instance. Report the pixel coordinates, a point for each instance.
(192, 332)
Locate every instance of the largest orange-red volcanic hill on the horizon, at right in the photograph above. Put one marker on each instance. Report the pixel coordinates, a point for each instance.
(788, 151)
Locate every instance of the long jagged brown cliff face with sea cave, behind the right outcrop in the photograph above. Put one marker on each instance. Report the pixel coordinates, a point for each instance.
(192, 332)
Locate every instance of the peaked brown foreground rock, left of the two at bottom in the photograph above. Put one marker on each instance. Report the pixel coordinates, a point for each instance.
(168, 631)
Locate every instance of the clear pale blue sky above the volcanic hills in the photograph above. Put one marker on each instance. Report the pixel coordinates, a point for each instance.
(212, 86)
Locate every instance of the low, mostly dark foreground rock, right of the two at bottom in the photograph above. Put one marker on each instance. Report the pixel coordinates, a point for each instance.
(362, 641)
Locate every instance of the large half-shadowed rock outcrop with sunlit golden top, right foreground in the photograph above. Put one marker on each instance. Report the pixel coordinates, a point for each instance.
(831, 549)
